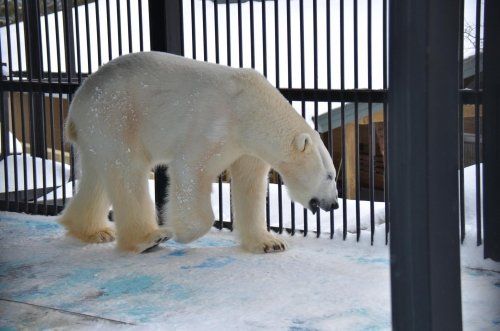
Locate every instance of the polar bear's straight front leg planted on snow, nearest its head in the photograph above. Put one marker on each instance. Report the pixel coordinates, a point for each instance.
(248, 190)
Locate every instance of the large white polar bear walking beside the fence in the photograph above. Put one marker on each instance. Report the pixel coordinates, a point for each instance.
(151, 108)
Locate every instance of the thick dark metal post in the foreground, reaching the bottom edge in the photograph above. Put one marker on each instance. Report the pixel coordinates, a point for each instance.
(423, 103)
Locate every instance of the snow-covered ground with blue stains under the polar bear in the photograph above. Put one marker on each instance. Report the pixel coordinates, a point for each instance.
(49, 280)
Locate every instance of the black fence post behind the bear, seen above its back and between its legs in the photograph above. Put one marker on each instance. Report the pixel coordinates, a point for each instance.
(165, 24)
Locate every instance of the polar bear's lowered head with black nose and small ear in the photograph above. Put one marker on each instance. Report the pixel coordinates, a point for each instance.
(309, 173)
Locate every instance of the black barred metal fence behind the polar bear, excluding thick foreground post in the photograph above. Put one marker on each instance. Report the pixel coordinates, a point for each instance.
(328, 58)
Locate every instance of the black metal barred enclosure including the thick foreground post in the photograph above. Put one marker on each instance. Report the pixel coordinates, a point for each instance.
(330, 59)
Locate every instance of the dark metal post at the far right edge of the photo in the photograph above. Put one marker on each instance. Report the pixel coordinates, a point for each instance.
(491, 136)
